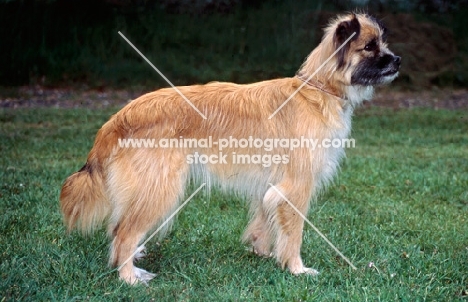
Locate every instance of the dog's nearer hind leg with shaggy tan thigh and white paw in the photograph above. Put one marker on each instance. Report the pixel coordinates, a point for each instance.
(144, 193)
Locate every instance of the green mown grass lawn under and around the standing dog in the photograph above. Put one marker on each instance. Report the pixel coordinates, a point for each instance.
(400, 201)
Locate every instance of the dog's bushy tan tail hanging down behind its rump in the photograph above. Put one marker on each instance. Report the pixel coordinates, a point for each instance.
(83, 199)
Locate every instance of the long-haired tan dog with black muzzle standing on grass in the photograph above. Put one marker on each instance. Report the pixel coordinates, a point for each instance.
(134, 190)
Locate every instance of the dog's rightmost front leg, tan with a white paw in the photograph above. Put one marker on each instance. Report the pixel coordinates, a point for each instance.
(289, 224)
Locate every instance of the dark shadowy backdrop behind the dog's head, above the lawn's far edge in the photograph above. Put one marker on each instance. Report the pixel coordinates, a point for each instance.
(66, 43)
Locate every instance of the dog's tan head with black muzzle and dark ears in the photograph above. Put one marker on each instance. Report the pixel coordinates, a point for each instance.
(356, 47)
